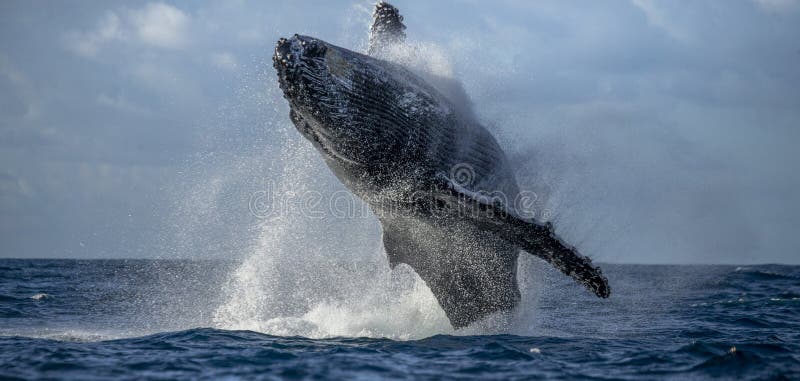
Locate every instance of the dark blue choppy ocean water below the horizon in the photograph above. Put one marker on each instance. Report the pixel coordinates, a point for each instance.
(161, 319)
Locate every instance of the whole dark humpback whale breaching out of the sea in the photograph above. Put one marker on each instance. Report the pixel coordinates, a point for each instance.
(438, 181)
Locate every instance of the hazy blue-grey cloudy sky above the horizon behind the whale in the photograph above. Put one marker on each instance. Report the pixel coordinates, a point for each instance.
(655, 131)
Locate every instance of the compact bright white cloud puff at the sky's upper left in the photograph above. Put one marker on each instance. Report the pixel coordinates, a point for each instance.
(161, 25)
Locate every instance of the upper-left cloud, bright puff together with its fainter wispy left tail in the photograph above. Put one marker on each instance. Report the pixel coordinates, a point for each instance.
(156, 24)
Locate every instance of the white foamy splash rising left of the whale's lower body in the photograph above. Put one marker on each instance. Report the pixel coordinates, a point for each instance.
(324, 277)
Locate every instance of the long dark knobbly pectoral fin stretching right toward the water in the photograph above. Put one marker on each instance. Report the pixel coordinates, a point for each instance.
(535, 238)
